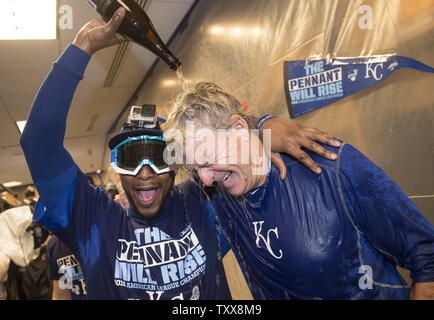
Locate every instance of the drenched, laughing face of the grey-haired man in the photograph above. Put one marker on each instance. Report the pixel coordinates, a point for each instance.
(227, 158)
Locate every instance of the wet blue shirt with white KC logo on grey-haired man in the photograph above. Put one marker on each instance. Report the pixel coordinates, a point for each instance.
(338, 235)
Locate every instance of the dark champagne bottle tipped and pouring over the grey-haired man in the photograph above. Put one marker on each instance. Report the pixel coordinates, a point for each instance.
(137, 26)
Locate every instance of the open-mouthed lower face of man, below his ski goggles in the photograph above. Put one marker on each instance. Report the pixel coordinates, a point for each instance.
(148, 191)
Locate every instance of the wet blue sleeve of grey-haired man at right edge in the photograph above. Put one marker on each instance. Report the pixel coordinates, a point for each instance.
(385, 215)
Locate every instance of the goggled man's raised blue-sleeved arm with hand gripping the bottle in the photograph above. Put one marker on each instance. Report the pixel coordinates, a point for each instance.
(51, 166)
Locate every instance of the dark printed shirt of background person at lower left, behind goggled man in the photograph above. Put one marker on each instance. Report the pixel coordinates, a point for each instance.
(65, 268)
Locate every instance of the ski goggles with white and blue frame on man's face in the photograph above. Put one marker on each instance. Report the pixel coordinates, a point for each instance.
(133, 153)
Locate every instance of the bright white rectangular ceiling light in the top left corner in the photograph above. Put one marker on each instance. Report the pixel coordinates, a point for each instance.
(28, 20)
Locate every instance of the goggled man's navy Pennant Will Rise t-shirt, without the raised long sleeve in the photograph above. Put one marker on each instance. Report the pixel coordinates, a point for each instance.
(175, 256)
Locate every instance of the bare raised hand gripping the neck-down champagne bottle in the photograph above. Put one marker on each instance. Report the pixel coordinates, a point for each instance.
(97, 34)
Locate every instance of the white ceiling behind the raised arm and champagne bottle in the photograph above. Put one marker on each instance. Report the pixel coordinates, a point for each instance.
(24, 65)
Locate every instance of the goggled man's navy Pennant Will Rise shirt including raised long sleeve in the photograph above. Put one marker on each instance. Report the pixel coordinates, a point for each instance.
(176, 256)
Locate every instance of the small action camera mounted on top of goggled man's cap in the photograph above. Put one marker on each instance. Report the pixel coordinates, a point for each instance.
(144, 117)
